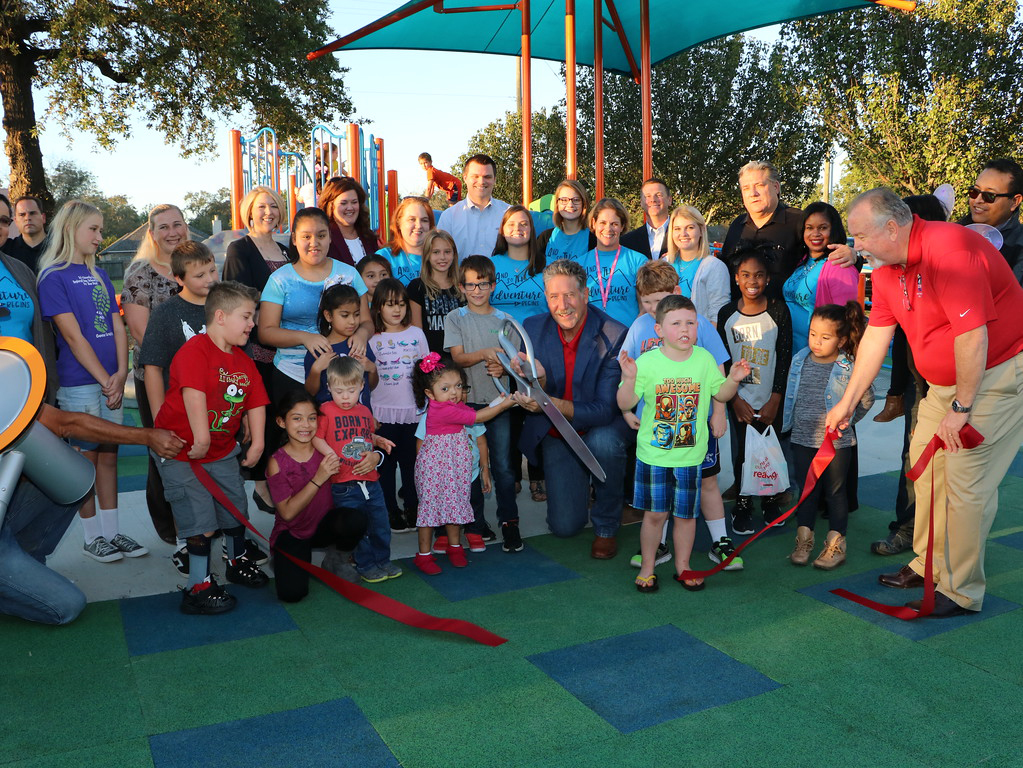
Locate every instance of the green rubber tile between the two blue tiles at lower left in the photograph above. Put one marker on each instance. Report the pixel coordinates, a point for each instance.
(230, 682)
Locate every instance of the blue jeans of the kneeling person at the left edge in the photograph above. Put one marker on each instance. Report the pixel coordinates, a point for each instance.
(32, 530)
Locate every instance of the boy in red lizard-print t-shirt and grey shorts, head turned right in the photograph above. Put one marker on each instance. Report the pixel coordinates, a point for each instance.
(213, 387)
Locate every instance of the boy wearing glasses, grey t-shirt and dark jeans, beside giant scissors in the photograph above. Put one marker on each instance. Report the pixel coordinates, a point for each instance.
(471, 338)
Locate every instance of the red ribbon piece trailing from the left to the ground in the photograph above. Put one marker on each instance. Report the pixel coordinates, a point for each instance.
(359, 595)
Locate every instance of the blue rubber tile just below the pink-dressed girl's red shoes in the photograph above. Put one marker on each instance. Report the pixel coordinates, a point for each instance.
(495, 573)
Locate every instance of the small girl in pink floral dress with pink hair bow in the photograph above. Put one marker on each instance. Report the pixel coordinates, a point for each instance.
(443, 467)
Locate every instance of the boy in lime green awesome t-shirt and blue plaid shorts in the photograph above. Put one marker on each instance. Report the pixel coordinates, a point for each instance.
(677, 381)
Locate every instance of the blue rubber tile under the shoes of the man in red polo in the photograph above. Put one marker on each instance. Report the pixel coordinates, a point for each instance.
(867, 585)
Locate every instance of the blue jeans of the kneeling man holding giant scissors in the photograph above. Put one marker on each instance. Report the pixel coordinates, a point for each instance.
(569, 481)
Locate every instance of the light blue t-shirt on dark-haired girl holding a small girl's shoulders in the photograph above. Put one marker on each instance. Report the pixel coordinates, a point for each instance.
(299, 300)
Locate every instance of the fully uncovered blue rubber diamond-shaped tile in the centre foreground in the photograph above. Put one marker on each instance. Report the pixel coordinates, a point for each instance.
(650, 677)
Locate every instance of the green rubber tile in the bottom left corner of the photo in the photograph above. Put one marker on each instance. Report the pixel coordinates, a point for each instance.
(52, 711)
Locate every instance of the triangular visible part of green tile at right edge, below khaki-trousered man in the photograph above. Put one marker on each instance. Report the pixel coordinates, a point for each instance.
(985, 645)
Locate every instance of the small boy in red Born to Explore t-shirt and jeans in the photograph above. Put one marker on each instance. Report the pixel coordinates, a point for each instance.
(346, 429)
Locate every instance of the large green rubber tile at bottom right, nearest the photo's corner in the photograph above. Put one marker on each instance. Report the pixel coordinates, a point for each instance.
(942, 710)
